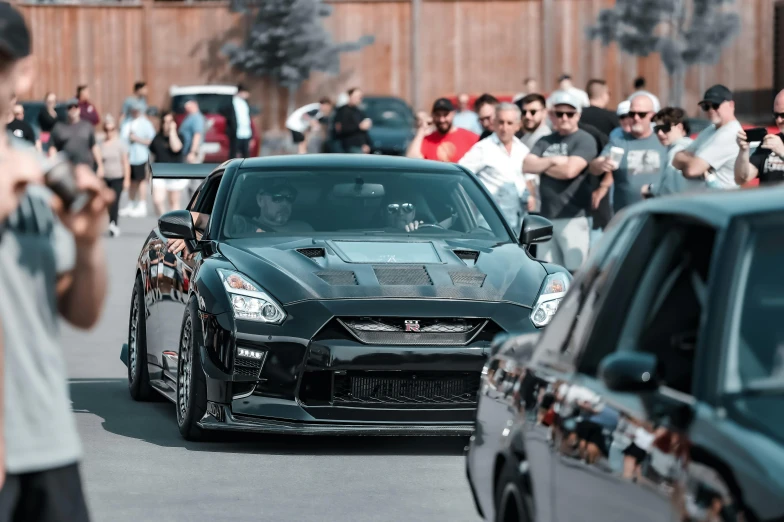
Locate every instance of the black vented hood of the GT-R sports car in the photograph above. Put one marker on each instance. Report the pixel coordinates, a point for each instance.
(296, 269)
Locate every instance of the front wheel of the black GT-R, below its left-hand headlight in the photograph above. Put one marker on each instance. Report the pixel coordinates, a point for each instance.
(191, 403)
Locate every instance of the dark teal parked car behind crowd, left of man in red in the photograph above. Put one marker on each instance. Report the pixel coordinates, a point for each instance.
(394, 124)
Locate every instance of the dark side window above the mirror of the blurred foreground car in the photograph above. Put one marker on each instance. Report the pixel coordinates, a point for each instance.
(663, 310)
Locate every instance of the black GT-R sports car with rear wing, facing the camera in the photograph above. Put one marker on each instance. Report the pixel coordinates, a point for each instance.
(331, 294)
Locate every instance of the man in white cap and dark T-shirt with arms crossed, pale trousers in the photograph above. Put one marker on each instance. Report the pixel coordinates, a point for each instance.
(561, 160)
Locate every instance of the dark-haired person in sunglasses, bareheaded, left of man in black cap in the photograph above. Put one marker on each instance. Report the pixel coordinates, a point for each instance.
(672, 129)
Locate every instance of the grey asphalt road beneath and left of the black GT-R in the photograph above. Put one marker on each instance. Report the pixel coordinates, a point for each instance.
(137, 467)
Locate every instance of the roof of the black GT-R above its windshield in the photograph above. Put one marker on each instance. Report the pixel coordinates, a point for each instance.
(366, 161)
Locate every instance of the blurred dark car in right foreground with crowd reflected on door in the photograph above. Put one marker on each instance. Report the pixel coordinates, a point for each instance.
(657, 391)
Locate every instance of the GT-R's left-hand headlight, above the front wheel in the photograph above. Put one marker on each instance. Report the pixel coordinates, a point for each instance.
(248, 300)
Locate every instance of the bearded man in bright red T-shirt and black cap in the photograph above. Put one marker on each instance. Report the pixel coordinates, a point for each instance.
(445, 142)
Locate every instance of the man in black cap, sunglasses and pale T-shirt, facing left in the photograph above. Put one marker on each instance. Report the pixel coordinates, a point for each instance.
(711, 157)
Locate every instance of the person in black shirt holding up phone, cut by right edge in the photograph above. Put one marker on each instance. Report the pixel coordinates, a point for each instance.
(767, 161)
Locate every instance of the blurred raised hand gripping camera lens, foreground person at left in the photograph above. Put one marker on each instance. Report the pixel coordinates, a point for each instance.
(89, 223)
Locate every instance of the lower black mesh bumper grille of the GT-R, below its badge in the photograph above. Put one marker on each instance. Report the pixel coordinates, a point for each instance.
(375, 387)
